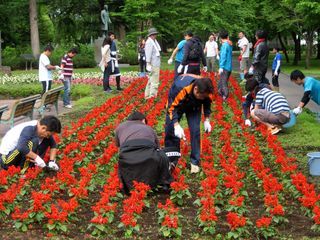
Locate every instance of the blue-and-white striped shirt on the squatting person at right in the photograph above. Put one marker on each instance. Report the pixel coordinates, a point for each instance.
(271, 101)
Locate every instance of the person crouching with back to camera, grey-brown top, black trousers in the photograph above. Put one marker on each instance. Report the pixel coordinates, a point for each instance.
(140, 158)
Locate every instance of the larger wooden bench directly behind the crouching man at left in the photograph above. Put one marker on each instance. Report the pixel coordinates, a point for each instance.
(22, 107)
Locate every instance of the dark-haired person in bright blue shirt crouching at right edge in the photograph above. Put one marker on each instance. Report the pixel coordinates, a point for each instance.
(311, 89)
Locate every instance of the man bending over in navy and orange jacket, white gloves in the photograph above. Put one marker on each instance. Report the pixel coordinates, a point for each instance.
(187, 95)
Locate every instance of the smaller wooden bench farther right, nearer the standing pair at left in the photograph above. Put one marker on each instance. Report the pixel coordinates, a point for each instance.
(50, 97)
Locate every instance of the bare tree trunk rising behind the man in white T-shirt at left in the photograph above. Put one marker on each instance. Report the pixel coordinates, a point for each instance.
(34, 31)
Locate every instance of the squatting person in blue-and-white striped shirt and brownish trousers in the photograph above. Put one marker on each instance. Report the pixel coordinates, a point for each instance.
(271, 108)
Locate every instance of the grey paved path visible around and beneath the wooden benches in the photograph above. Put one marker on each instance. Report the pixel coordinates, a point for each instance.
(5, 127)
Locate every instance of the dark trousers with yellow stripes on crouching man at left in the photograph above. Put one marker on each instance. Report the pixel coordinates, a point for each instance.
(16, 158)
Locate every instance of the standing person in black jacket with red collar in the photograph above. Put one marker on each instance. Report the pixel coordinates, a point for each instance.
(260, 57)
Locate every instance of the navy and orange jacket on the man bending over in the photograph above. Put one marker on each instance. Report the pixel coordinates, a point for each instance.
(181, 99)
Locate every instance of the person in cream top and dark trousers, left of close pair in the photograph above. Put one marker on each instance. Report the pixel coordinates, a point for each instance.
(105, 64)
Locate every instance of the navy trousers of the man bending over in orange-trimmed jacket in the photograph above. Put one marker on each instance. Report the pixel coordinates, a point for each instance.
(193, 118)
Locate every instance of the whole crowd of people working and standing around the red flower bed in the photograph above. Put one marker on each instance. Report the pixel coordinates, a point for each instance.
(140, 155)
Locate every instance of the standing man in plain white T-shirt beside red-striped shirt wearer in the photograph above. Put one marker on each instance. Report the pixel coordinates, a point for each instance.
(45, 69)
